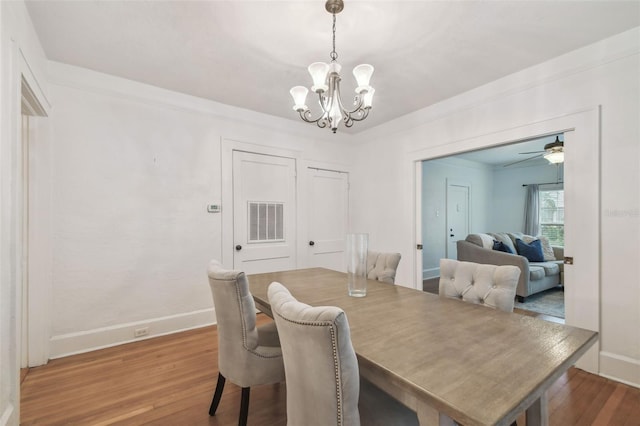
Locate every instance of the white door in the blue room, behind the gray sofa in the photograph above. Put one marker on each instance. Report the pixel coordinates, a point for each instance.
(457, 217)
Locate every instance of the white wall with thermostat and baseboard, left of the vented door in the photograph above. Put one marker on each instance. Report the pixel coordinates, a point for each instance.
(134, 168)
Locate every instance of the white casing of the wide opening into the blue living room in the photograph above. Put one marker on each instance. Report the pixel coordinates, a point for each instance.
(582, 131)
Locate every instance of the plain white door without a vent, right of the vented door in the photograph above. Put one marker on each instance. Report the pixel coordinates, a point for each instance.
(328, 213)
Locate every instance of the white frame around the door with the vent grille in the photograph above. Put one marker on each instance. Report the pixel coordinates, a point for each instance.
(227, 147)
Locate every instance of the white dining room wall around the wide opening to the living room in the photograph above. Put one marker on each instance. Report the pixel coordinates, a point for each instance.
(604, 74)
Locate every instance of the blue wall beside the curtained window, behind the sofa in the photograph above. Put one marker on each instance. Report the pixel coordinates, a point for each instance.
(507, 207)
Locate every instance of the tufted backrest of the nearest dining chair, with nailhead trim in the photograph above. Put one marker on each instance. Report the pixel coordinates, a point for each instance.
(320, 363)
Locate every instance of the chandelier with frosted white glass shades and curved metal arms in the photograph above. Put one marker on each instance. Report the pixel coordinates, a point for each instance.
(326, 84)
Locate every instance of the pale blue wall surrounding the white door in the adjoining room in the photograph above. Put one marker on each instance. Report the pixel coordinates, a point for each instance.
(435, 175)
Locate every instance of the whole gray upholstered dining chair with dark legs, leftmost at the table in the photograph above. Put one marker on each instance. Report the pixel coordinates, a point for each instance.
(247, 355)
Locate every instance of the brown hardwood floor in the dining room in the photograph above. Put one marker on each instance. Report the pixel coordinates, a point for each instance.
(169, 380)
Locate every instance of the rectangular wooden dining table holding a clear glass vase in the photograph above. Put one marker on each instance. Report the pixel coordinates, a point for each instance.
(443, 358)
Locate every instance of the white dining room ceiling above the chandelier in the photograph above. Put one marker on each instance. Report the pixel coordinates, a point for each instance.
(250, 53)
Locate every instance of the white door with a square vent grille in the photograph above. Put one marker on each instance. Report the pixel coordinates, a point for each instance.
(264, 223)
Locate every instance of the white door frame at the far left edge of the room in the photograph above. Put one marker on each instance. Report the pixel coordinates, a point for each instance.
(33, 263)
